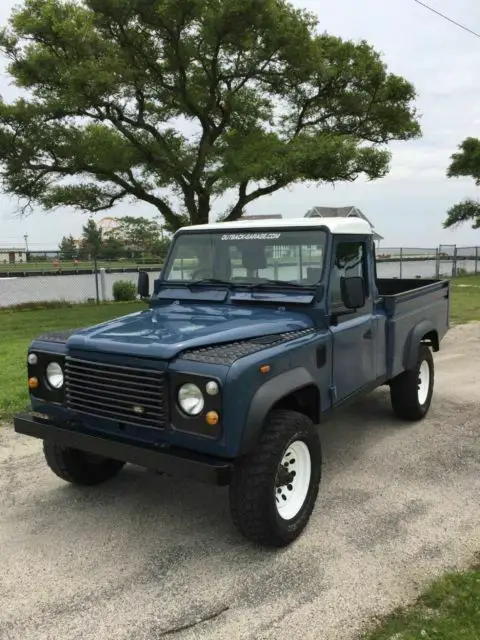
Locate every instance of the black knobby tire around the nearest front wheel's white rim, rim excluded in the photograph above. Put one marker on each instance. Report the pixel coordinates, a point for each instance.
(252, 489)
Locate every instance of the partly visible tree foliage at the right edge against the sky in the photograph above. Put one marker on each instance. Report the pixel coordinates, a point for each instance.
(466, 162)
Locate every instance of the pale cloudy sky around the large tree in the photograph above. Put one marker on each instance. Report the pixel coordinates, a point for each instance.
(409, 205)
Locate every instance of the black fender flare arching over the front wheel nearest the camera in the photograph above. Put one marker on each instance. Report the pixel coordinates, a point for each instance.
(266, 397)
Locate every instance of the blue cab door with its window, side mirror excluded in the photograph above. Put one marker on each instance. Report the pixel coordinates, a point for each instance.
(353, 333)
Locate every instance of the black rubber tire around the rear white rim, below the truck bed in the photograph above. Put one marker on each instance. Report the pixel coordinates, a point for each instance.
(404, 389)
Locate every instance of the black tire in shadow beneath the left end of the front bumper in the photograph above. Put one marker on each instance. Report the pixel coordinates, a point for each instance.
(78, 467)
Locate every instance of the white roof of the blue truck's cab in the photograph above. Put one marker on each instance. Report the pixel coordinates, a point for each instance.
(351, 225)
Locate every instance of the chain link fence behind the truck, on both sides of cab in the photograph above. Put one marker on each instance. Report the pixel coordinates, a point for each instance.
(43, 276)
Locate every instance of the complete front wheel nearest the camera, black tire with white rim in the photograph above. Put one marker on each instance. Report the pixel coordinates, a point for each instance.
(274, 489)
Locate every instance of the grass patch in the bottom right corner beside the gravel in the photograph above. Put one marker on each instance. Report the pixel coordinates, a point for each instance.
(448, 610)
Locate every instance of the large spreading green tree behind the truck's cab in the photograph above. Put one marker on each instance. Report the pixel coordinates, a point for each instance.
(190, 99)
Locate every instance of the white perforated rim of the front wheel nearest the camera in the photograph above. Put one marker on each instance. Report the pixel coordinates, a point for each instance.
(293, 481)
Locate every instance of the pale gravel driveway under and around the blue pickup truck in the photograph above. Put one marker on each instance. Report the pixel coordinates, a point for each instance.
(145, 557)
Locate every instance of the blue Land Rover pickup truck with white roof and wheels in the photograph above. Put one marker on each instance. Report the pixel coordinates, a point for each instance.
(254, 332)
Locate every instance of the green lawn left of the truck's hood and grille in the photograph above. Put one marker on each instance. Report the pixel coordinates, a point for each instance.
(18, 328)
